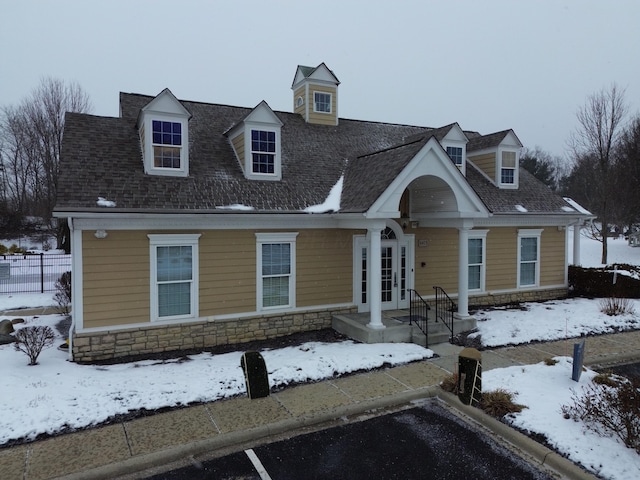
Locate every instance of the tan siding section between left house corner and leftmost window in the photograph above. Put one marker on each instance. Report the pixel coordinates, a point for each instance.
(115, 273)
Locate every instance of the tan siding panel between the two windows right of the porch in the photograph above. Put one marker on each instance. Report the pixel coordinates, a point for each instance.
(502, 256)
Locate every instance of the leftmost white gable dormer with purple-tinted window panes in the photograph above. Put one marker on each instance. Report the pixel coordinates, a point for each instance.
(163, 126)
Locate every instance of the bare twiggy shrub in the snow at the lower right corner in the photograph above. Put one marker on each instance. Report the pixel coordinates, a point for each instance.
(610, 407)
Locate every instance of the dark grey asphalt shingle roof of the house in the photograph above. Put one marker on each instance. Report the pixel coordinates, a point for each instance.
(101, 157)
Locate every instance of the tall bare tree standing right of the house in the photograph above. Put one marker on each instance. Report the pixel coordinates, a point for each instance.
(600, 122)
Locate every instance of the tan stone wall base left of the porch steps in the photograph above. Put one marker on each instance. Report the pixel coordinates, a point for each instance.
(154, 339)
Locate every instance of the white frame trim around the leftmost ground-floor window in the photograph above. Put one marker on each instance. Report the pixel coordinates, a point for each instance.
(162, 240)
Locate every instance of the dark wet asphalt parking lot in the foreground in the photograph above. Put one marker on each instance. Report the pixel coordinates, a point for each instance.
(421, 442)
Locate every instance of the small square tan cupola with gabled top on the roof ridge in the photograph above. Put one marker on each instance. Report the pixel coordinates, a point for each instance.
(315, 95)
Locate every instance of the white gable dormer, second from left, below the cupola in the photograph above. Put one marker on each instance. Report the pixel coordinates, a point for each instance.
(256, 143)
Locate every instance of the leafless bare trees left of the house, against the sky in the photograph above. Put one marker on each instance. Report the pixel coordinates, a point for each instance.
(31, 136)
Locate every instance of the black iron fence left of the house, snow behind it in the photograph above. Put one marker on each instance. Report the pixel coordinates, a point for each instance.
(32, 273)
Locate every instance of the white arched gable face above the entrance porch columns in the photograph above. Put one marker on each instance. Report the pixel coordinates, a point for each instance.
(438, 164)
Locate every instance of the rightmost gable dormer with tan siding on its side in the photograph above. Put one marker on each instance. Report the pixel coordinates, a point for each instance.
(497, 155)
